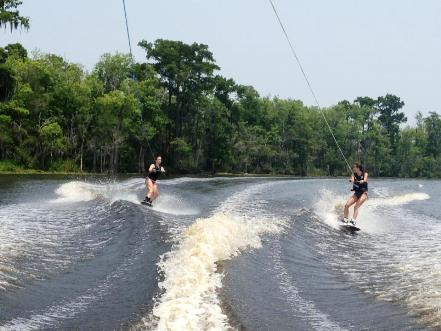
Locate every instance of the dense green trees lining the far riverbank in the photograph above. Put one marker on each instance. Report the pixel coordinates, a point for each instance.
(56, 116)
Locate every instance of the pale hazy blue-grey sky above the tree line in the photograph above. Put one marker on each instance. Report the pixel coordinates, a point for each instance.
(349, 48)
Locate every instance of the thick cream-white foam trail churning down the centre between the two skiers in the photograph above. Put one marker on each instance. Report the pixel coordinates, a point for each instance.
(191, 280)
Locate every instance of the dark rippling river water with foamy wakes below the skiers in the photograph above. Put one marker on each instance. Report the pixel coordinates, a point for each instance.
(217, 254)
